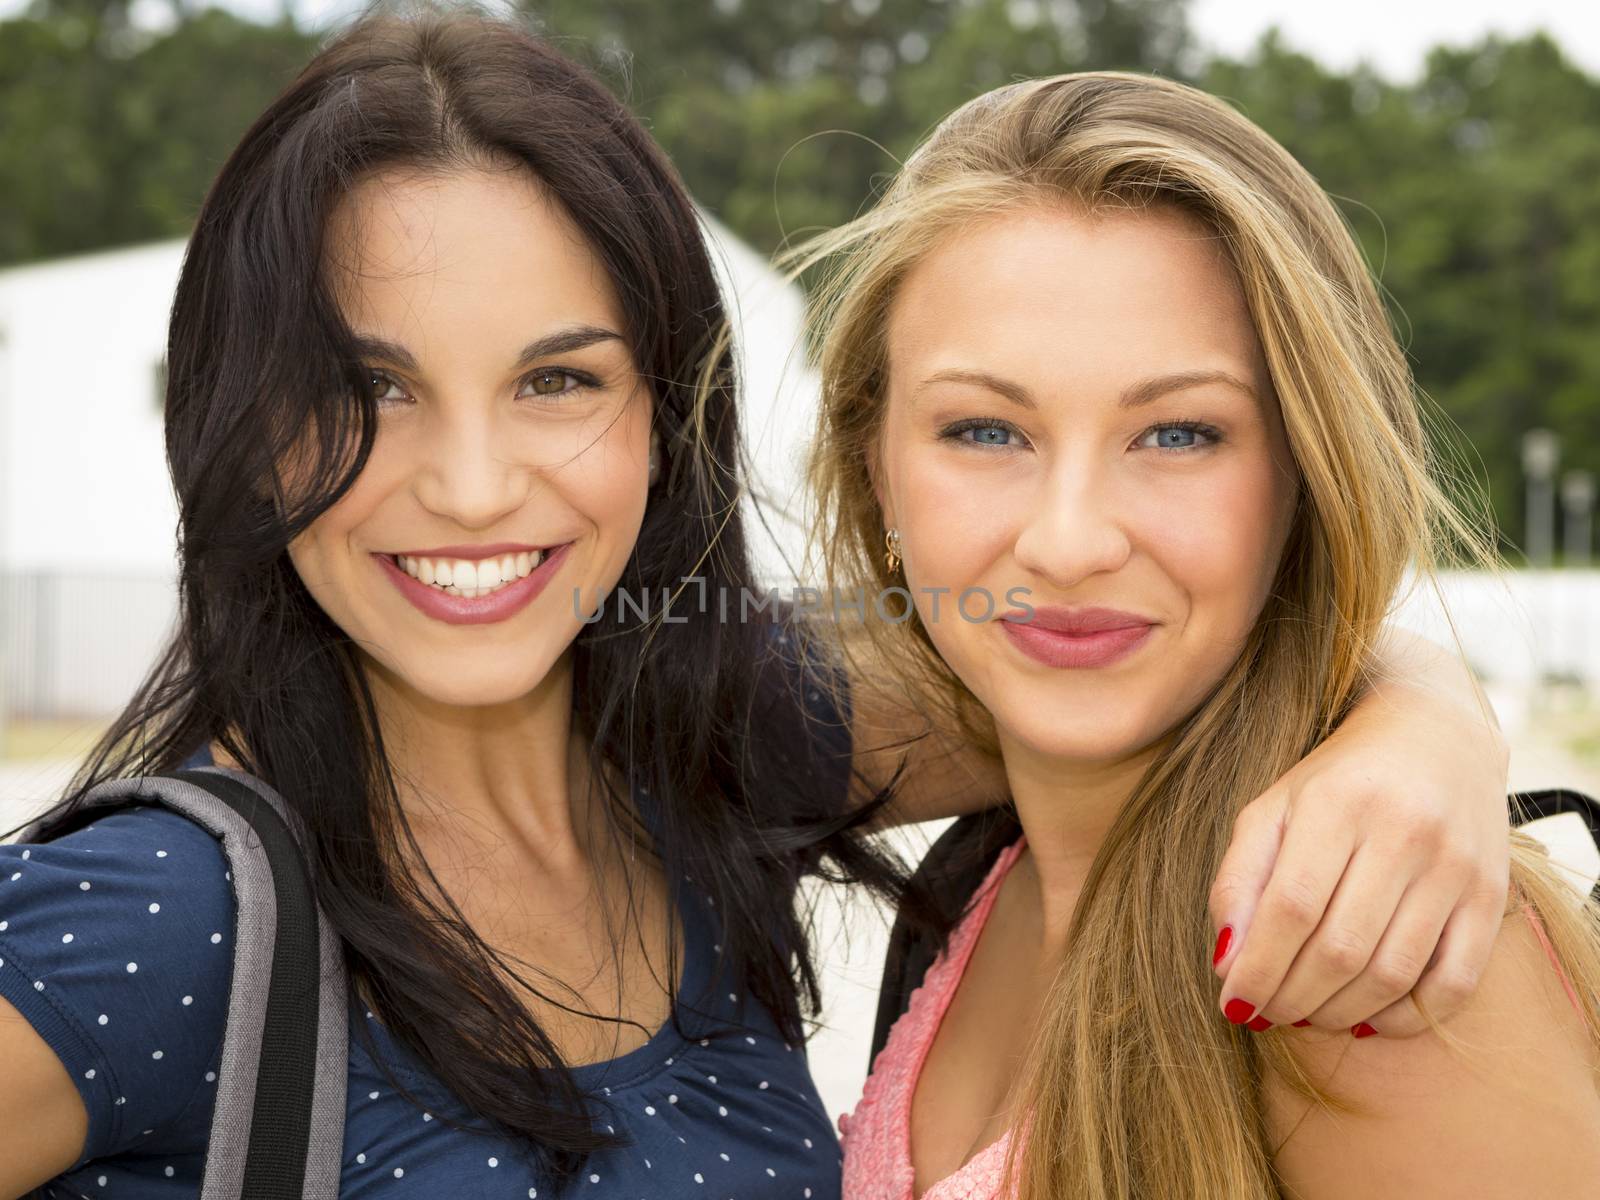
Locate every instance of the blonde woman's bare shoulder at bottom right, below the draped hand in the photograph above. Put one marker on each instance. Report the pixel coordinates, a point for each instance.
(1513, 1111)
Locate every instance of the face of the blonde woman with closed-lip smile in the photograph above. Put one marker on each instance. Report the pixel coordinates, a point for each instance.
(1079, 407)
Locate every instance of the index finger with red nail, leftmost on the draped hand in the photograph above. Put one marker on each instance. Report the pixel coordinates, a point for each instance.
(1318, 847)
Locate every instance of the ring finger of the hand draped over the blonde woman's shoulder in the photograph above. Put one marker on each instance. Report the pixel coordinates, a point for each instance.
(1399, 956)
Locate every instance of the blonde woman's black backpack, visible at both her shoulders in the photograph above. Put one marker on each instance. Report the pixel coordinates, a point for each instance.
(959, 862)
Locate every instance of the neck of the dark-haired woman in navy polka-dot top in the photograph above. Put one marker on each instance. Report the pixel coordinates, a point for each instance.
(511, 777)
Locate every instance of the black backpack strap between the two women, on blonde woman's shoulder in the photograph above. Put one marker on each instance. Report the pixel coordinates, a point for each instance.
(954, 866)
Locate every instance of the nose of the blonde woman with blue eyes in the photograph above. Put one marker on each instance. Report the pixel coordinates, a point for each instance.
(1076, 529)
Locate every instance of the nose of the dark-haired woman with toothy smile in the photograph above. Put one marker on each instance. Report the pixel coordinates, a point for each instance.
(466, 474)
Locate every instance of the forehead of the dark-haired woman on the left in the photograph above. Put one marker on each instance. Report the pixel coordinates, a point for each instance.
(409, 246)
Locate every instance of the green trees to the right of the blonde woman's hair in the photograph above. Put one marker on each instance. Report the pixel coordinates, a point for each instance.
(1473, 193)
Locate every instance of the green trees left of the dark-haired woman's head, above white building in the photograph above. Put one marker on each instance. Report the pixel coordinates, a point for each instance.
(111, 135)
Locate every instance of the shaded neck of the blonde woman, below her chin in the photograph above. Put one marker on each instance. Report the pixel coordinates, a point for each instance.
(1066, 809)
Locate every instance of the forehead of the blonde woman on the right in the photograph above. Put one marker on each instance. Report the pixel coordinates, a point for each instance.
(1047, 290)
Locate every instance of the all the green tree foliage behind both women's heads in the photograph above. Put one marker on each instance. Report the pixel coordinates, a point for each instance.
(1476, 190)
